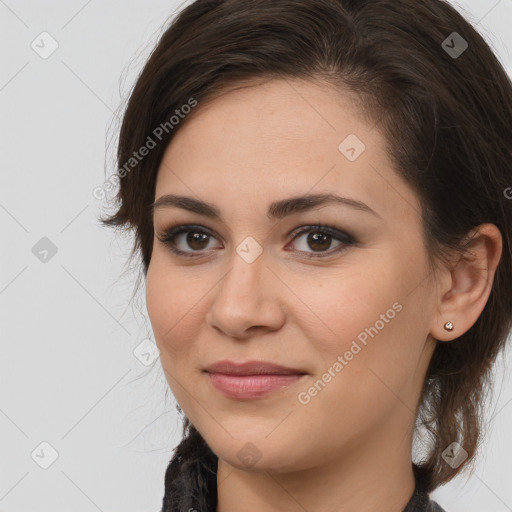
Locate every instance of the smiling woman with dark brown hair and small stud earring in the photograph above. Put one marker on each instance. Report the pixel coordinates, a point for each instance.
(318, 192)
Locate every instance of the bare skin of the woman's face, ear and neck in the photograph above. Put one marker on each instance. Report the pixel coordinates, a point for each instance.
(349, 447)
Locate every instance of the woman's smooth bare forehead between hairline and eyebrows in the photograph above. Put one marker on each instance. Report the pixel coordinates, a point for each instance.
(283, 138)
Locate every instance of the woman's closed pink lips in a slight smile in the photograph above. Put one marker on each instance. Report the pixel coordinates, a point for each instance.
(252, 379)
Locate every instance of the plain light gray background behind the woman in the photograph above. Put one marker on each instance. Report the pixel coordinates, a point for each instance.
(68, 373)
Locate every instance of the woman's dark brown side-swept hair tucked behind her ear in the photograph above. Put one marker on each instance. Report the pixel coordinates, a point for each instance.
(448, 125)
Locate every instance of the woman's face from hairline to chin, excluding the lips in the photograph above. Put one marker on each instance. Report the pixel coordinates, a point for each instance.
(351, 306)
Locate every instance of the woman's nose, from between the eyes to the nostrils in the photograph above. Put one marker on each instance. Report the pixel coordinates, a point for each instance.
(247, 299)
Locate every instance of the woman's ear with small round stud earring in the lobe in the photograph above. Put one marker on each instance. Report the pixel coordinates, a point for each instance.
(464, 287)
